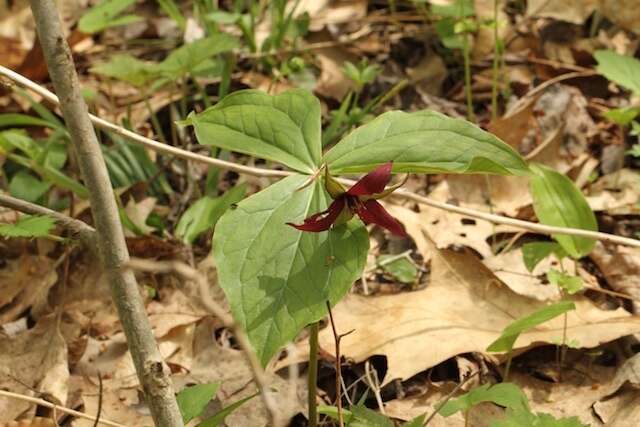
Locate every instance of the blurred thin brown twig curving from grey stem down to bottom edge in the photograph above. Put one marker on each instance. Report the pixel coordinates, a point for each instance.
(210, 304)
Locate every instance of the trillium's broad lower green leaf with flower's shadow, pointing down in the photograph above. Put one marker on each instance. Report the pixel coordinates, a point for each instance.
(277, 279)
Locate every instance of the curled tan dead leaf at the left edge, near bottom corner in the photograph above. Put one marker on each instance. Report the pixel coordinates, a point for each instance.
(35, 359)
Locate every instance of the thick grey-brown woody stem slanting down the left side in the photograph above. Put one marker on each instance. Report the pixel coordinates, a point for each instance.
(153, 373)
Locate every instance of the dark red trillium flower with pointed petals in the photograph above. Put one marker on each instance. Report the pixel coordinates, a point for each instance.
(360, 200)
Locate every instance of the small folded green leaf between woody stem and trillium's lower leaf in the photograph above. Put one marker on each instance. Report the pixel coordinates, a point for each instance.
(203, 214)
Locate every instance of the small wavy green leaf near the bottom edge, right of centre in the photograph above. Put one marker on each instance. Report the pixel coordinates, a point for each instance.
(504, 394)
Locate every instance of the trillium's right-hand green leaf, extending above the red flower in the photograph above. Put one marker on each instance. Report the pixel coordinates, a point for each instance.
(425, 141)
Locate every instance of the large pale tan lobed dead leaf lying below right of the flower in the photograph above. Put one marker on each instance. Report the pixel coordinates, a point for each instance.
(463, 309)
